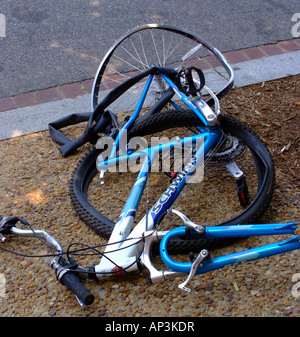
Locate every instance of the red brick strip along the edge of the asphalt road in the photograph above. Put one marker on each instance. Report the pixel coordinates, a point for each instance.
(81, 88)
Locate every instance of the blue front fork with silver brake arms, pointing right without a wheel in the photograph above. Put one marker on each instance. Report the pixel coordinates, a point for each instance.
(204, 263)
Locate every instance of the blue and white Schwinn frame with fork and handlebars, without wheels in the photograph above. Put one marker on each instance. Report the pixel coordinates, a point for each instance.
(130, 249)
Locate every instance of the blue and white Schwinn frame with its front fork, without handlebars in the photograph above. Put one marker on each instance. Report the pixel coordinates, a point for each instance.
(138, 242)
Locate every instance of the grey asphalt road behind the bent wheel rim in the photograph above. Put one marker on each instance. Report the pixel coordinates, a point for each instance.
(55, 42)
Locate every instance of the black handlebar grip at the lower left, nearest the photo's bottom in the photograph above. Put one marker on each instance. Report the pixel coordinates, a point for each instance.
(72, 282)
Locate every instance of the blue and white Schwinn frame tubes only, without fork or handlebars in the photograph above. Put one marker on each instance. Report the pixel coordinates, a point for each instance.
(132, 246)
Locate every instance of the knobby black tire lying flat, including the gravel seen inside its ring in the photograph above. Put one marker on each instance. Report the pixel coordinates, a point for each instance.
(213, 201)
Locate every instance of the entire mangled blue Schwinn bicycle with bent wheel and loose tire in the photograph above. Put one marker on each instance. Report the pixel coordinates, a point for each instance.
(164, 155)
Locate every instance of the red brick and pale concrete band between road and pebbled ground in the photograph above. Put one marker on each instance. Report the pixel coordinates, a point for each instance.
(31, 112)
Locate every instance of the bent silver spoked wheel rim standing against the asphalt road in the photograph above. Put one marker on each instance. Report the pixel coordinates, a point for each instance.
(161, 45)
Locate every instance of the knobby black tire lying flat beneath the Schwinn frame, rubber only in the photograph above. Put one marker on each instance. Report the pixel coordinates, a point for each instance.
(102, 225)
